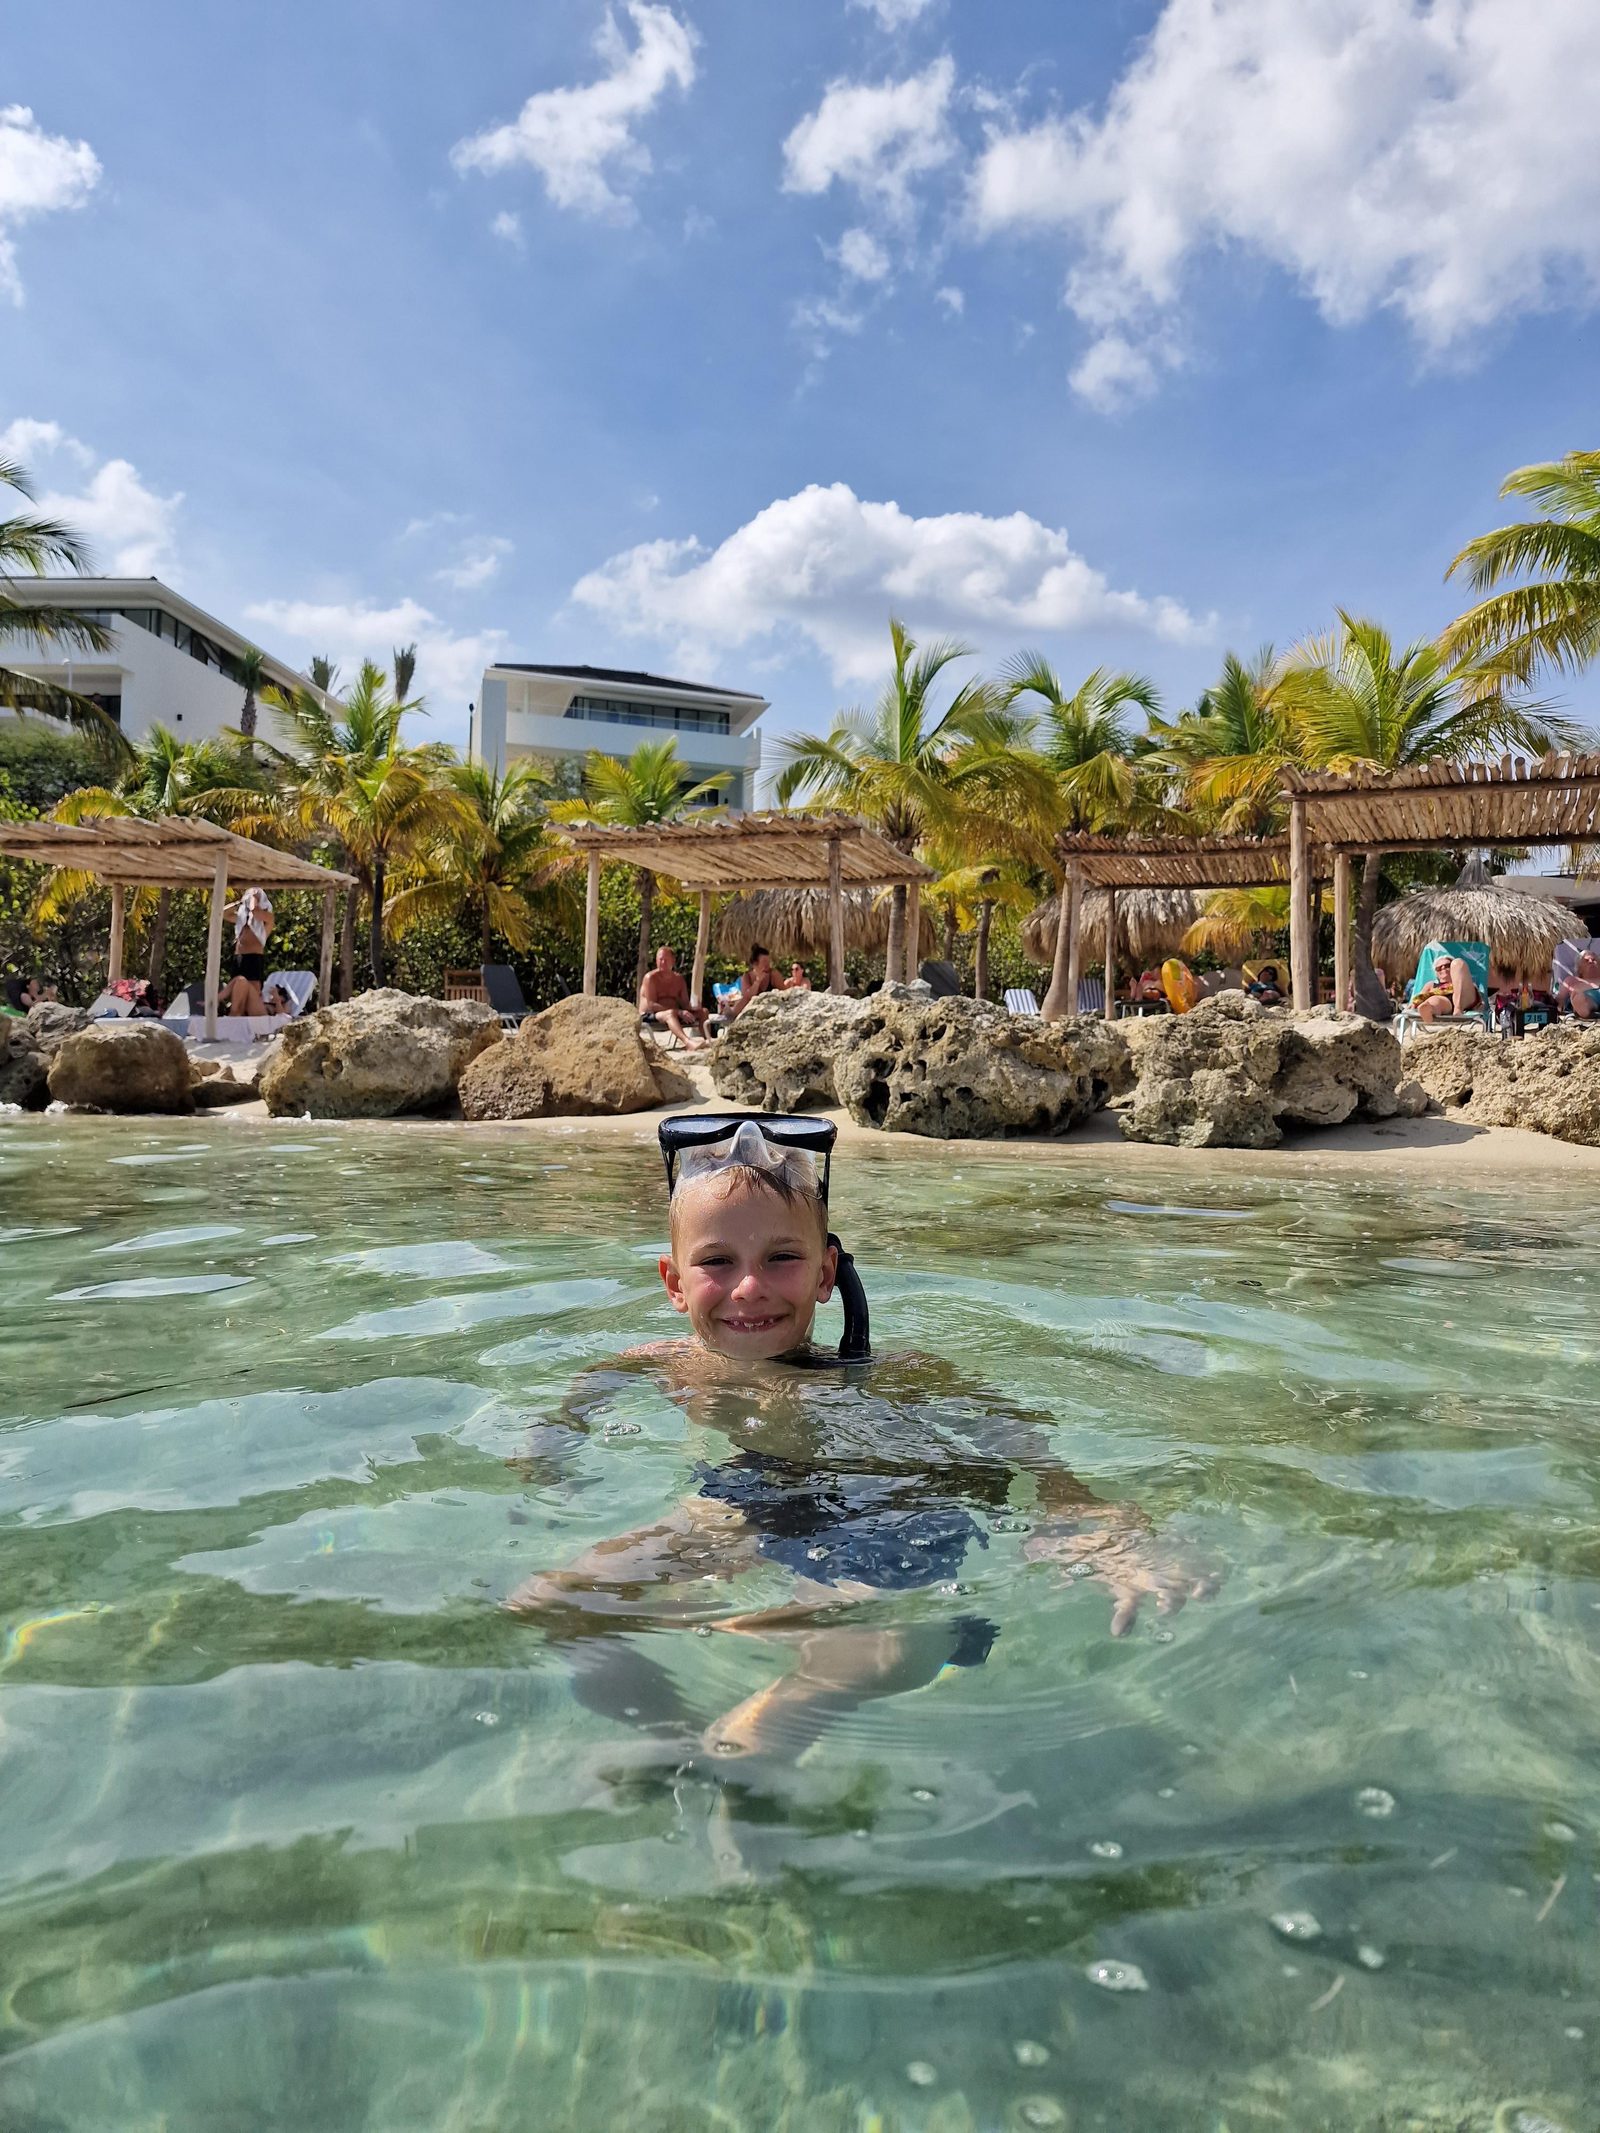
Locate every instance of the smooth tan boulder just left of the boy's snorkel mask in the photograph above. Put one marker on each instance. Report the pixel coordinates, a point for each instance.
(579, 1059)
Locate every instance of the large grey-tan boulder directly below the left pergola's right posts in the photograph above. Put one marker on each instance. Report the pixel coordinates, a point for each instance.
(374, 1057)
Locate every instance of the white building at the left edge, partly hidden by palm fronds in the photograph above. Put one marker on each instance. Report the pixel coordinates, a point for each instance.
(170, 664)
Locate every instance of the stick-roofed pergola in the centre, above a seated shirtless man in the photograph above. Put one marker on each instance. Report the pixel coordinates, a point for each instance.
(754, 852)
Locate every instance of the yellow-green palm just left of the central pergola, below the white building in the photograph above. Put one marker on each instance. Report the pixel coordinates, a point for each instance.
(496, 856)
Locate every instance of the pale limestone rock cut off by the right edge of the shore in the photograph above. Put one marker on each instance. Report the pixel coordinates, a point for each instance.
(1546, 1082)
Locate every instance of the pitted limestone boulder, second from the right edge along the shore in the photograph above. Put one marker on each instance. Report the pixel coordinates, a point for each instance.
(1234, 1074)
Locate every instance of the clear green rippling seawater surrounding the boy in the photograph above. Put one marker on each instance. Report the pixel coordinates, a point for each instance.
(304, 1829)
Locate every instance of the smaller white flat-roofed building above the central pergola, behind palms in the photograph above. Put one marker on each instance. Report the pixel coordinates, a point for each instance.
(562, 711)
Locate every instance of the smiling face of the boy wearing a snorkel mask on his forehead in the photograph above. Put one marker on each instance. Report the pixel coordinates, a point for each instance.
(748, 1270)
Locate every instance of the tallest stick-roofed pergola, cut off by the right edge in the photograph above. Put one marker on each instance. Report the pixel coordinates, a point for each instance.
(1437, 807)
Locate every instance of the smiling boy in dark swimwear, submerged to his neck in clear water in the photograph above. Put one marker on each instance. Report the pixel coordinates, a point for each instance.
(859, 1486)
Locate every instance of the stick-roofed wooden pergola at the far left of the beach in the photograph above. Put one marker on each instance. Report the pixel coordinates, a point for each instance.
(176, 854)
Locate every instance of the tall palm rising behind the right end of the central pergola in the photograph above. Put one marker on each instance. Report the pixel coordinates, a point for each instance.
(910, 769)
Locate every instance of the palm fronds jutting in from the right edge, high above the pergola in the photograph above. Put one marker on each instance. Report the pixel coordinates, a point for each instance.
(1556, 618)
